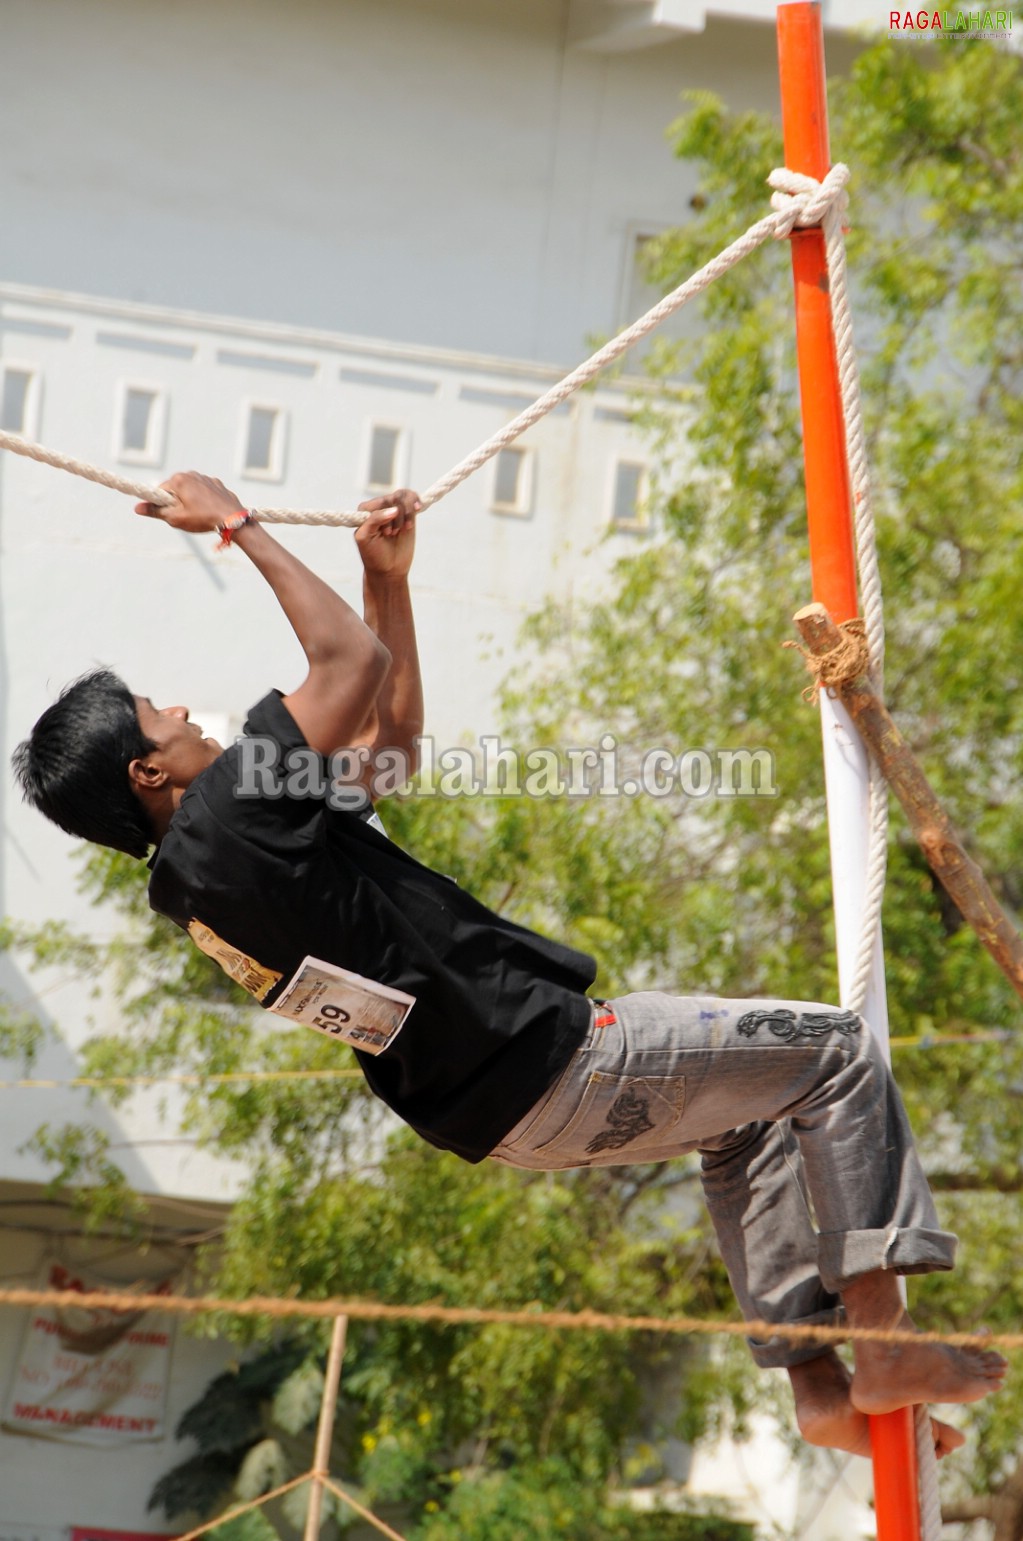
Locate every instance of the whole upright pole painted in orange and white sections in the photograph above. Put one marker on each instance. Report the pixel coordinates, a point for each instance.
(833, 563)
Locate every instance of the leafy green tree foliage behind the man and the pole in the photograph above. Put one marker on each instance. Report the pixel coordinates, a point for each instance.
(717, 893)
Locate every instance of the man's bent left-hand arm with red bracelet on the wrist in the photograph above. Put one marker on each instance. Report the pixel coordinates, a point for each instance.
(347, 662)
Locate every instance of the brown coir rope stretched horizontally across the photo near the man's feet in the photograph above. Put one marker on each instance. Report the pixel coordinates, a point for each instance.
(481, 1317)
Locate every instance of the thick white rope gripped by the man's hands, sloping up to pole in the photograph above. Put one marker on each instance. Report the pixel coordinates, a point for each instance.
(803, 207)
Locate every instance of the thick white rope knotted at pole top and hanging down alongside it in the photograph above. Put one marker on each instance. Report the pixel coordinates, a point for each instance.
(793, 184)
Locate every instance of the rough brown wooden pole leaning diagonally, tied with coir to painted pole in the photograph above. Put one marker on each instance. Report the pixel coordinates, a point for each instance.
(939, 841)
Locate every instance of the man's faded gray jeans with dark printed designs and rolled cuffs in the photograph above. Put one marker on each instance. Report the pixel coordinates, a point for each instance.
(810, 1167)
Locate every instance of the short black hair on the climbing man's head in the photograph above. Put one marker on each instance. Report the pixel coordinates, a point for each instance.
(75, 764)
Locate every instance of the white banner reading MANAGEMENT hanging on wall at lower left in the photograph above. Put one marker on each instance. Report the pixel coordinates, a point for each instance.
(92, 1375)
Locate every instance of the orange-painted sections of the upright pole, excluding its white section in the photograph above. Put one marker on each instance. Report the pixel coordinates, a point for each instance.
(833, 551)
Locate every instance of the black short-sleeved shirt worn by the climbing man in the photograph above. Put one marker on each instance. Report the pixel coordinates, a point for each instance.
(498, 1009)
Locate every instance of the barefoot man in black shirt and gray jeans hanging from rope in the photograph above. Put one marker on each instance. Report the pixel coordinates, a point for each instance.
(478, 1033)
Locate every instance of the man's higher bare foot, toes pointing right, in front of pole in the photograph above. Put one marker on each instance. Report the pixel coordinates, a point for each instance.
(888, 1377)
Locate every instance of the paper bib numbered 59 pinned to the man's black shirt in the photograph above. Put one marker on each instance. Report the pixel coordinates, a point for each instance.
(344, 1006)
